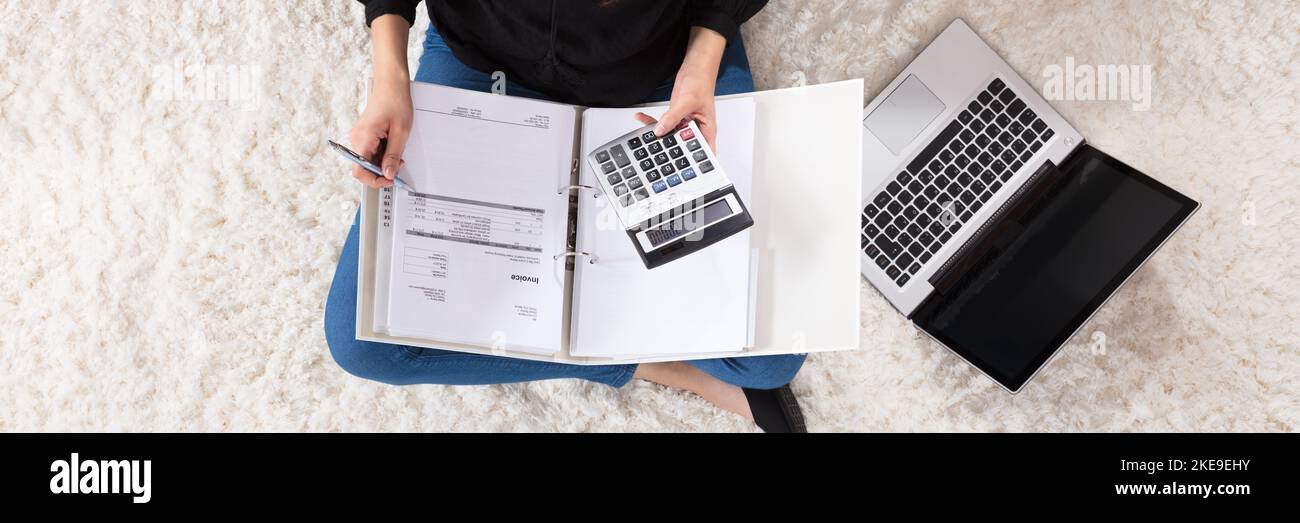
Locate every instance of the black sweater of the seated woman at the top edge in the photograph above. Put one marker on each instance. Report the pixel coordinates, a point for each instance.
(591, 53)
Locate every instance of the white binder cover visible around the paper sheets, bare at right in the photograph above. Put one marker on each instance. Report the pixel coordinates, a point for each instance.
(805, 196)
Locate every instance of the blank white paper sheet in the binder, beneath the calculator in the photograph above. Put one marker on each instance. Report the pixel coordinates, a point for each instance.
(699, 304)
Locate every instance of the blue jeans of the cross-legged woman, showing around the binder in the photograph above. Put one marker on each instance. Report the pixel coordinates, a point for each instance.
(401, 365)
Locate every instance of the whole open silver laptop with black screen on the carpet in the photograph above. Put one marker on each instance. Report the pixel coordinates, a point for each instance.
(987, 219)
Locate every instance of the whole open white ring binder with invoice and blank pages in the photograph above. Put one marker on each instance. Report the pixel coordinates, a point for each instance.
(506, 249)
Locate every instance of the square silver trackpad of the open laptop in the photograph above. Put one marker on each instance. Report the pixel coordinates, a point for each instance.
(904, 115)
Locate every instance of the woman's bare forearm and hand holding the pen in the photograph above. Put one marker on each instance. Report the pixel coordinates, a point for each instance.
(385, 124)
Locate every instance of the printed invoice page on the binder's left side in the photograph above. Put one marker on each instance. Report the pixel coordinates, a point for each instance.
(474, 253)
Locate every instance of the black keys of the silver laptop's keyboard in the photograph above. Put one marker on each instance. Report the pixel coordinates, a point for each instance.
(925, 205)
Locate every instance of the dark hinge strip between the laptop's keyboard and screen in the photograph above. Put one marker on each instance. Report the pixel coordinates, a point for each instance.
(998, 232)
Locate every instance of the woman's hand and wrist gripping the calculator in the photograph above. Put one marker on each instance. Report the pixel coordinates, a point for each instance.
(694, 90)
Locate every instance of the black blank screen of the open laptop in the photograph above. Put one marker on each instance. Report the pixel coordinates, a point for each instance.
(1054, 266)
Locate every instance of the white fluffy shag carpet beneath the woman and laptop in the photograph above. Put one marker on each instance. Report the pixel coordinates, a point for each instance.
(164, 263)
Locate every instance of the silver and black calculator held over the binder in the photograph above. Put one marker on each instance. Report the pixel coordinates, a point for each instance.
(669, 192)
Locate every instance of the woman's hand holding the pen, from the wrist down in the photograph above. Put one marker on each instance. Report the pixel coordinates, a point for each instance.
(387, 122)
